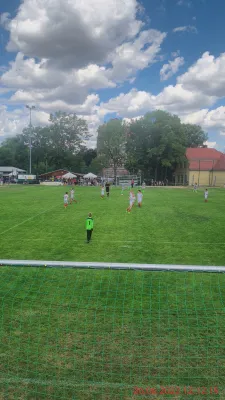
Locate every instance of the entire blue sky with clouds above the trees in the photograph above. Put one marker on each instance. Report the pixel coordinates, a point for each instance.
(115, 58)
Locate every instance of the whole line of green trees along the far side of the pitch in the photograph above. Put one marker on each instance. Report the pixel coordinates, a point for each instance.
(152, 145)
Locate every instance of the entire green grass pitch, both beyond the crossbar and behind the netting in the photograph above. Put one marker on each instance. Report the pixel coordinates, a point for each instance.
(93, 334)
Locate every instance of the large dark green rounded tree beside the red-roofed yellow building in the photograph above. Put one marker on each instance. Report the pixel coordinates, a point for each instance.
(157, 142)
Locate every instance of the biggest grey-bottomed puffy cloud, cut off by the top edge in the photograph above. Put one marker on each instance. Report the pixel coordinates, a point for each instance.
(72, 34)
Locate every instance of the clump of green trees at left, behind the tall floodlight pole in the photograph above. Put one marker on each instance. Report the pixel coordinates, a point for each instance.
(57, 145)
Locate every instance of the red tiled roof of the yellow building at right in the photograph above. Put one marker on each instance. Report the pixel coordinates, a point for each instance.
(205, 159)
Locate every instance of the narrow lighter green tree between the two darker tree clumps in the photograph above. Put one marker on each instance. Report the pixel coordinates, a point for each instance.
(111, 143)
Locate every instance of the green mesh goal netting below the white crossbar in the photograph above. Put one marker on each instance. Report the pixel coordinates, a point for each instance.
(93, 334)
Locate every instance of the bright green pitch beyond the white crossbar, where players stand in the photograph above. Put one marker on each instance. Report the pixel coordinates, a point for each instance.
(174, 226)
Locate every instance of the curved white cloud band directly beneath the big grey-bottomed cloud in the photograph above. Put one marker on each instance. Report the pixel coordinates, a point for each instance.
(38, 80)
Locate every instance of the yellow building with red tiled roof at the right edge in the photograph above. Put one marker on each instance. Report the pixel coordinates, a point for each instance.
(203, 166)
